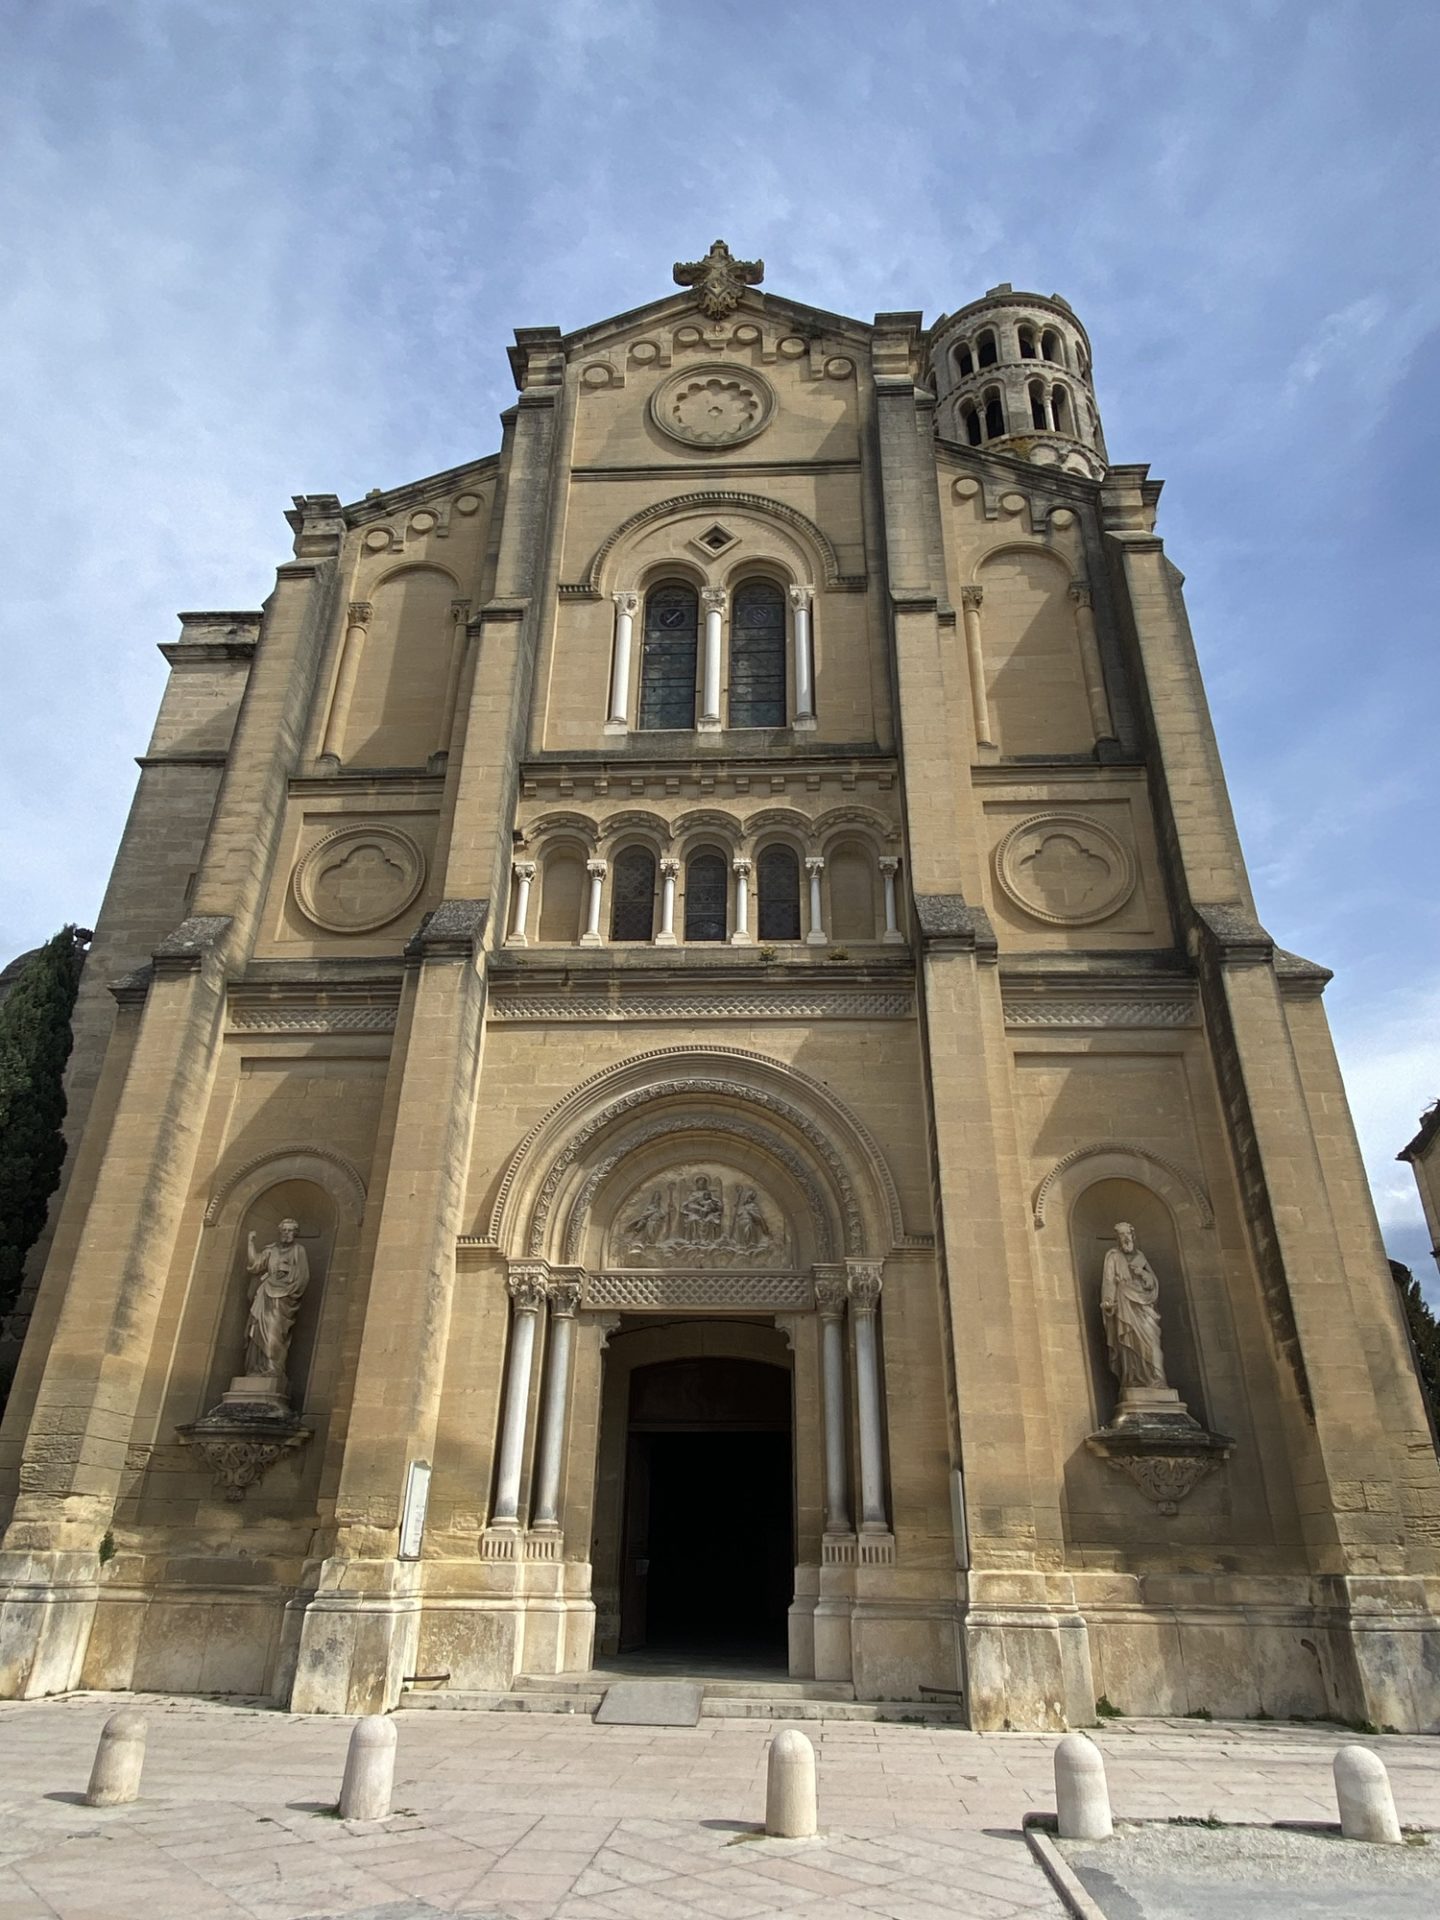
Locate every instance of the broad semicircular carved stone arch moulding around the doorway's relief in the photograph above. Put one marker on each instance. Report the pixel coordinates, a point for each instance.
(842, 1145)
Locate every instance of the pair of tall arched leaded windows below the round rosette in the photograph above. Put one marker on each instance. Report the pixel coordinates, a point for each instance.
(671, 656)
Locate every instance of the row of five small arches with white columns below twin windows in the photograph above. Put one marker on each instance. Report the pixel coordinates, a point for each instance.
(708, 880)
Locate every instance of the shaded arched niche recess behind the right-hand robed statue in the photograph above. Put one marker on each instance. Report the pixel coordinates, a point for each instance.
(1093, 1218)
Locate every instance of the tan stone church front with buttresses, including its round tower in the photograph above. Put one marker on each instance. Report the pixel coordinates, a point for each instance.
(681, 1057)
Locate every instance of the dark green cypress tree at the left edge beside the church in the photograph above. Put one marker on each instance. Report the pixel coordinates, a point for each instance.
(34, 1051)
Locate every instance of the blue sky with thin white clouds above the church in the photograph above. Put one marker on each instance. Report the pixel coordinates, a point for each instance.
(251, 251)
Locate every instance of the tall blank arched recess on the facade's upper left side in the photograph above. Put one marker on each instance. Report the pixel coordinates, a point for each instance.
(404, 671)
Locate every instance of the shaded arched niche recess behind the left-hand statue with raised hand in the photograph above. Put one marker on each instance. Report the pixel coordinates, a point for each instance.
(325, 1195)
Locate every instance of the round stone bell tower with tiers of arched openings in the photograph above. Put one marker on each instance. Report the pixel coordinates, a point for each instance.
(1015, 372)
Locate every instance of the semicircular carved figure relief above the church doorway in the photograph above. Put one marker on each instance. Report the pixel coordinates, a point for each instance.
(700, 1220)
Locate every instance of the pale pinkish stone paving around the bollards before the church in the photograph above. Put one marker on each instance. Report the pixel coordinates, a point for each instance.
(544, 1815)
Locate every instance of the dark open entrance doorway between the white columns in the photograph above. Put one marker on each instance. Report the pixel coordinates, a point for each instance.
(709, 1531)
